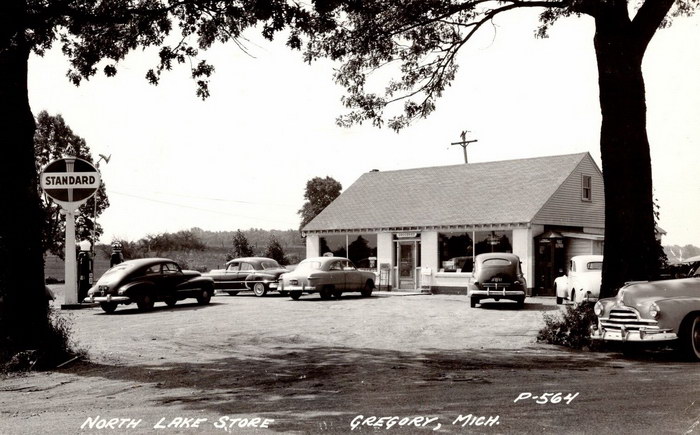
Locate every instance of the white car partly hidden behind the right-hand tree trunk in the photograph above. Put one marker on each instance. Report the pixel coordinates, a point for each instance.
(582, 281)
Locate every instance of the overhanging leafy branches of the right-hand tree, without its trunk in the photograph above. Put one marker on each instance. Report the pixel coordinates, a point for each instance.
(417, 41)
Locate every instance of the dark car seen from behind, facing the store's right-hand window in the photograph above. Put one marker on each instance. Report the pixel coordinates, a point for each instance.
(497, 276)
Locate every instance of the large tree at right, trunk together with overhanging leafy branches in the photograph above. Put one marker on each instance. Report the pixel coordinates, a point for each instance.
(417, 41)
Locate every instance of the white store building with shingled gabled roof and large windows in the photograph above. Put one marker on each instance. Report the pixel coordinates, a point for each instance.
(420, 229)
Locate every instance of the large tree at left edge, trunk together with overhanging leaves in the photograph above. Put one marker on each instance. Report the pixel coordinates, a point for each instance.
(94, 35)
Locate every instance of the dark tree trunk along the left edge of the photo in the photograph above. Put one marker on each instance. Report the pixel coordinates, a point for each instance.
(23, 302)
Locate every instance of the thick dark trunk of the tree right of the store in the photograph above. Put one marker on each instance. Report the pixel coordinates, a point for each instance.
(629, 251)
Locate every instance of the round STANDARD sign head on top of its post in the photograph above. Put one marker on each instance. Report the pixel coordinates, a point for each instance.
(70, 181)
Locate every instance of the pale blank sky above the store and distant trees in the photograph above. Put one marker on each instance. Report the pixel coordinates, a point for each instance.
(241, 158)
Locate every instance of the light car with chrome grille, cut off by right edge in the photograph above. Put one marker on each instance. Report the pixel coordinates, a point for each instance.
(653, 311)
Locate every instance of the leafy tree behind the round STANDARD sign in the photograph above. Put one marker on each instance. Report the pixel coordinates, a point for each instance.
(54, 139)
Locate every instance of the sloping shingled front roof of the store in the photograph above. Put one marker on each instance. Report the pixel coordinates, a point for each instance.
(503, 192)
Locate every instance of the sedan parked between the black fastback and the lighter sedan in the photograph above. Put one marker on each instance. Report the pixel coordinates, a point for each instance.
(258, 274)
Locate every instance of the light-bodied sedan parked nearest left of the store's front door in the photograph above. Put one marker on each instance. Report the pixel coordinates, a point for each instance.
(328, 276)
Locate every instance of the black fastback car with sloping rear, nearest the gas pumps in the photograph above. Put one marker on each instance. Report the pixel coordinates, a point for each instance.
(149, 280)
